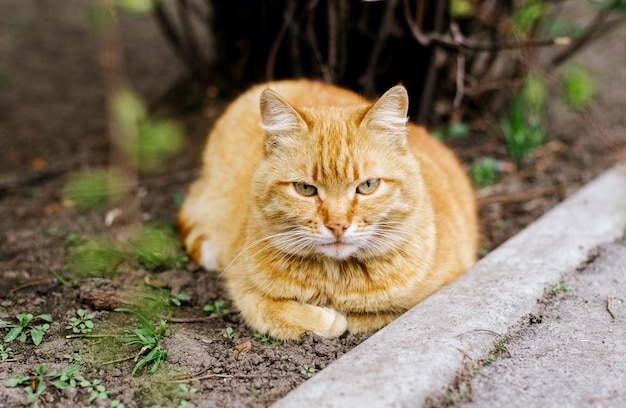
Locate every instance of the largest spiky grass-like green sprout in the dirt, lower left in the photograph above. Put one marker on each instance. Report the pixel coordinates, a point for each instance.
(148, 338)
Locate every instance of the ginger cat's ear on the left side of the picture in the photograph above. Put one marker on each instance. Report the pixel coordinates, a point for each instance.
(279, 120)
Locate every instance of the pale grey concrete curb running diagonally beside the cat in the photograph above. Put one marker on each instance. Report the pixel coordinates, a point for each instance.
(420, 352)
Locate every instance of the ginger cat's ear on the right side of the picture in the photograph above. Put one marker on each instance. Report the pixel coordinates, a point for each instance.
(389, 114)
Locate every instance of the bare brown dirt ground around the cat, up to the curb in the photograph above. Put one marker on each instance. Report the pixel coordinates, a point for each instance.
(53, 122)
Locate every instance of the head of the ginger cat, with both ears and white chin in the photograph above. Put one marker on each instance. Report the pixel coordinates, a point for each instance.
(335, 182)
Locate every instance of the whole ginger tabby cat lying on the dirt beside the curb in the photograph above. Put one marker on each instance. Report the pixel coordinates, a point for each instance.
(326, 212)
